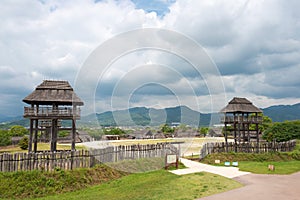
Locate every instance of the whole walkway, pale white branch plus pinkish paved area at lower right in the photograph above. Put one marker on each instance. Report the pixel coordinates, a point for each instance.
(256, 186)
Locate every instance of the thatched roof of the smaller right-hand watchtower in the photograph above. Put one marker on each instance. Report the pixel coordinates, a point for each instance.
(239, 105)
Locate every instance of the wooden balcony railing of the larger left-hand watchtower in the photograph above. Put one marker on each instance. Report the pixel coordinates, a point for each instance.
(51, 112)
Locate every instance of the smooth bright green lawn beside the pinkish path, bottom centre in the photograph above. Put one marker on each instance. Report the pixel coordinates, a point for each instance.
(155, 185)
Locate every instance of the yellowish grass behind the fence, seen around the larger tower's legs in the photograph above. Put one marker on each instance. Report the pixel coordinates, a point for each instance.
(41, 147)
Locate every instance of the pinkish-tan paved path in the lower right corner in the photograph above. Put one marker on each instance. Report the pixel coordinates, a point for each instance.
(266, 187)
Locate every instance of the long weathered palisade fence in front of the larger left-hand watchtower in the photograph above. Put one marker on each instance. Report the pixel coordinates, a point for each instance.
(67, 160)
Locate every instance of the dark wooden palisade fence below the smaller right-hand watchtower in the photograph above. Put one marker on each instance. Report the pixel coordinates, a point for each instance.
(252, 147)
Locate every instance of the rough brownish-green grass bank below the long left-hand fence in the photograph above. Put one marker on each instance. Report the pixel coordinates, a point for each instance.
(29, 184)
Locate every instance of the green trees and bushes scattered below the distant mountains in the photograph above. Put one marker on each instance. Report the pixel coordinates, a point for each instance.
(271, 131)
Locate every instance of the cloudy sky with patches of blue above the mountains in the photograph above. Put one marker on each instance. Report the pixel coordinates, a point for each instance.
(244, 48)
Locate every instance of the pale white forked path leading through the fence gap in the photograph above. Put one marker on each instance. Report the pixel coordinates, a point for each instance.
(193, 167)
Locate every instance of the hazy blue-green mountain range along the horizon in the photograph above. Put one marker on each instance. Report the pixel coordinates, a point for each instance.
(142, 116)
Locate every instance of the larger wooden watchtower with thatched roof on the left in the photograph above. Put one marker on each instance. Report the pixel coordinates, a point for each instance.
(50, 103)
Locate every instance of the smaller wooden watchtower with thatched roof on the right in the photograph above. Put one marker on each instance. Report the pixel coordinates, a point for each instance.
(241, 119)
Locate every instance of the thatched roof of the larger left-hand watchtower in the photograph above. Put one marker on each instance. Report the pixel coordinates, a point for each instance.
(49, 92)
